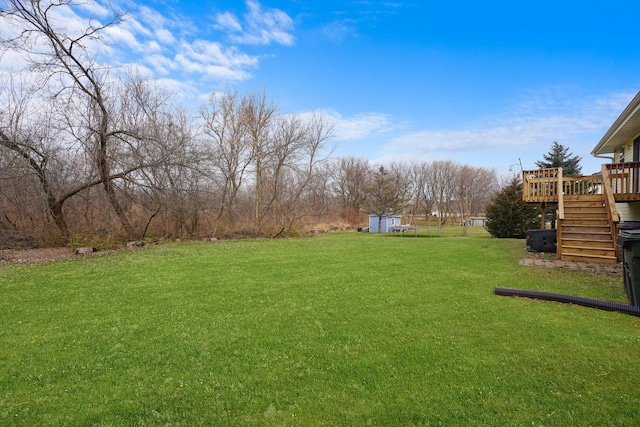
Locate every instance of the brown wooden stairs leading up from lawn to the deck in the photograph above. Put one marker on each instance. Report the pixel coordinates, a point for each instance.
(584, 233)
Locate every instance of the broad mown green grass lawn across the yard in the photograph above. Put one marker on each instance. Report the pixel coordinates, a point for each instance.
(340, 329)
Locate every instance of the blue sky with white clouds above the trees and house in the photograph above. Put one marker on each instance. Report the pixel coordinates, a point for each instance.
(484, 83)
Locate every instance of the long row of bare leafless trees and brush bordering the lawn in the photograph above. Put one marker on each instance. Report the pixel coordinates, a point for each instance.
(89, 151)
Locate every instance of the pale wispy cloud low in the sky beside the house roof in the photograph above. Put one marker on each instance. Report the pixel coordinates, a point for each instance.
(534, 123)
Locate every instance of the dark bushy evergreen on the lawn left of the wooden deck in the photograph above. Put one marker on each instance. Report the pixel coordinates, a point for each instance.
(508, 216)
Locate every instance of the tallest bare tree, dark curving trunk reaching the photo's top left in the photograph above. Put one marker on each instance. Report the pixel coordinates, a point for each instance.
(63, 60)
